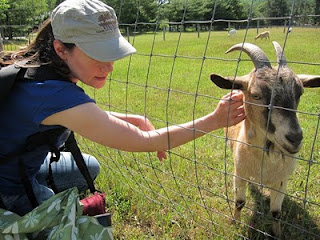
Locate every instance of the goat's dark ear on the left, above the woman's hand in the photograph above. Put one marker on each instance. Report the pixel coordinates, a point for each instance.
(228, 82)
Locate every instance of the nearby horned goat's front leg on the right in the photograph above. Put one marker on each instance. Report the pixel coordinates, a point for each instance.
(276, 200)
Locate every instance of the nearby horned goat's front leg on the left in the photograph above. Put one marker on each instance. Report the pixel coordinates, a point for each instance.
(239, 196)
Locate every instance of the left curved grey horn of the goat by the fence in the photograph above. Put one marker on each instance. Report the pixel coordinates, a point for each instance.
(258, 57)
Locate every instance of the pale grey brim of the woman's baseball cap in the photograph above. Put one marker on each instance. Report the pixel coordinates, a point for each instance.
(108, 50)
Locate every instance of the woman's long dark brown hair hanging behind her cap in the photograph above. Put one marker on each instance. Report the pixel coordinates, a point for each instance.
(40, 52)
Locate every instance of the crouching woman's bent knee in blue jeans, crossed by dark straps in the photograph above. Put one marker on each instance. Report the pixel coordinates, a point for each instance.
(66, 173)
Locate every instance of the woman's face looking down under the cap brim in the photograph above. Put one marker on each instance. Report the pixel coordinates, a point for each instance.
(89, 71)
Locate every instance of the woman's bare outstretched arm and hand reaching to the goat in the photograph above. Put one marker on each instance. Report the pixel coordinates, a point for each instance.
(102, 127)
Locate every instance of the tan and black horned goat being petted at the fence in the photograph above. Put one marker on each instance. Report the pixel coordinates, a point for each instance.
(266, 143)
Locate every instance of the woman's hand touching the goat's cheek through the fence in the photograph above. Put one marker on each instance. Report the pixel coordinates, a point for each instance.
(230, 109)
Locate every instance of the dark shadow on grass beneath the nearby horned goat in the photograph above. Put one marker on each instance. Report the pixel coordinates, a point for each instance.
(296, 222)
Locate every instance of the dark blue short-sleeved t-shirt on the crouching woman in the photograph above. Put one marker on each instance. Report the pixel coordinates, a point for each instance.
(21, 114)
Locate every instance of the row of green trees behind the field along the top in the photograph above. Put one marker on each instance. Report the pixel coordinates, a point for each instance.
(30, 13)
